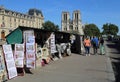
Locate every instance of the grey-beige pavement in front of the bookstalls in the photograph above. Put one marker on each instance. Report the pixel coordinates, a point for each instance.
(74, 68)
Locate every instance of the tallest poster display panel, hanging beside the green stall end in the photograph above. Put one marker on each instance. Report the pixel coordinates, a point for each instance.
(29, 40)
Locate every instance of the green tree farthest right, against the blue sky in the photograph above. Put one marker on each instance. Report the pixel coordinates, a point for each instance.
(110, 29)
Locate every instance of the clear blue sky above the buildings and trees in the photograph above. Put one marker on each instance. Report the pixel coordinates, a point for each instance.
(98, 12)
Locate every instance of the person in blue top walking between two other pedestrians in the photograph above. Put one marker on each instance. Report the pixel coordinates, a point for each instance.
(95, 44)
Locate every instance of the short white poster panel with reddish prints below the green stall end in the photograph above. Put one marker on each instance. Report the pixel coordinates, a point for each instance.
(19, 55)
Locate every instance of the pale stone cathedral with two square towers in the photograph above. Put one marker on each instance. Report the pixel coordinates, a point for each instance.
(74, 25)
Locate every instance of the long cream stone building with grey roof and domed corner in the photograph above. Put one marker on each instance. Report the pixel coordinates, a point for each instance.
(9, 20)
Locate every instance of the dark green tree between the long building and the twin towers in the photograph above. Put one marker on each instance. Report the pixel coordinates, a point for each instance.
(48, 25)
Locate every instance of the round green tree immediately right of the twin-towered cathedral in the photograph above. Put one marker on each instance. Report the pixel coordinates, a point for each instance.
(91, 30)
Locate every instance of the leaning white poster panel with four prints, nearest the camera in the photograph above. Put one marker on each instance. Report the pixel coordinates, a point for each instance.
(9, 60)
